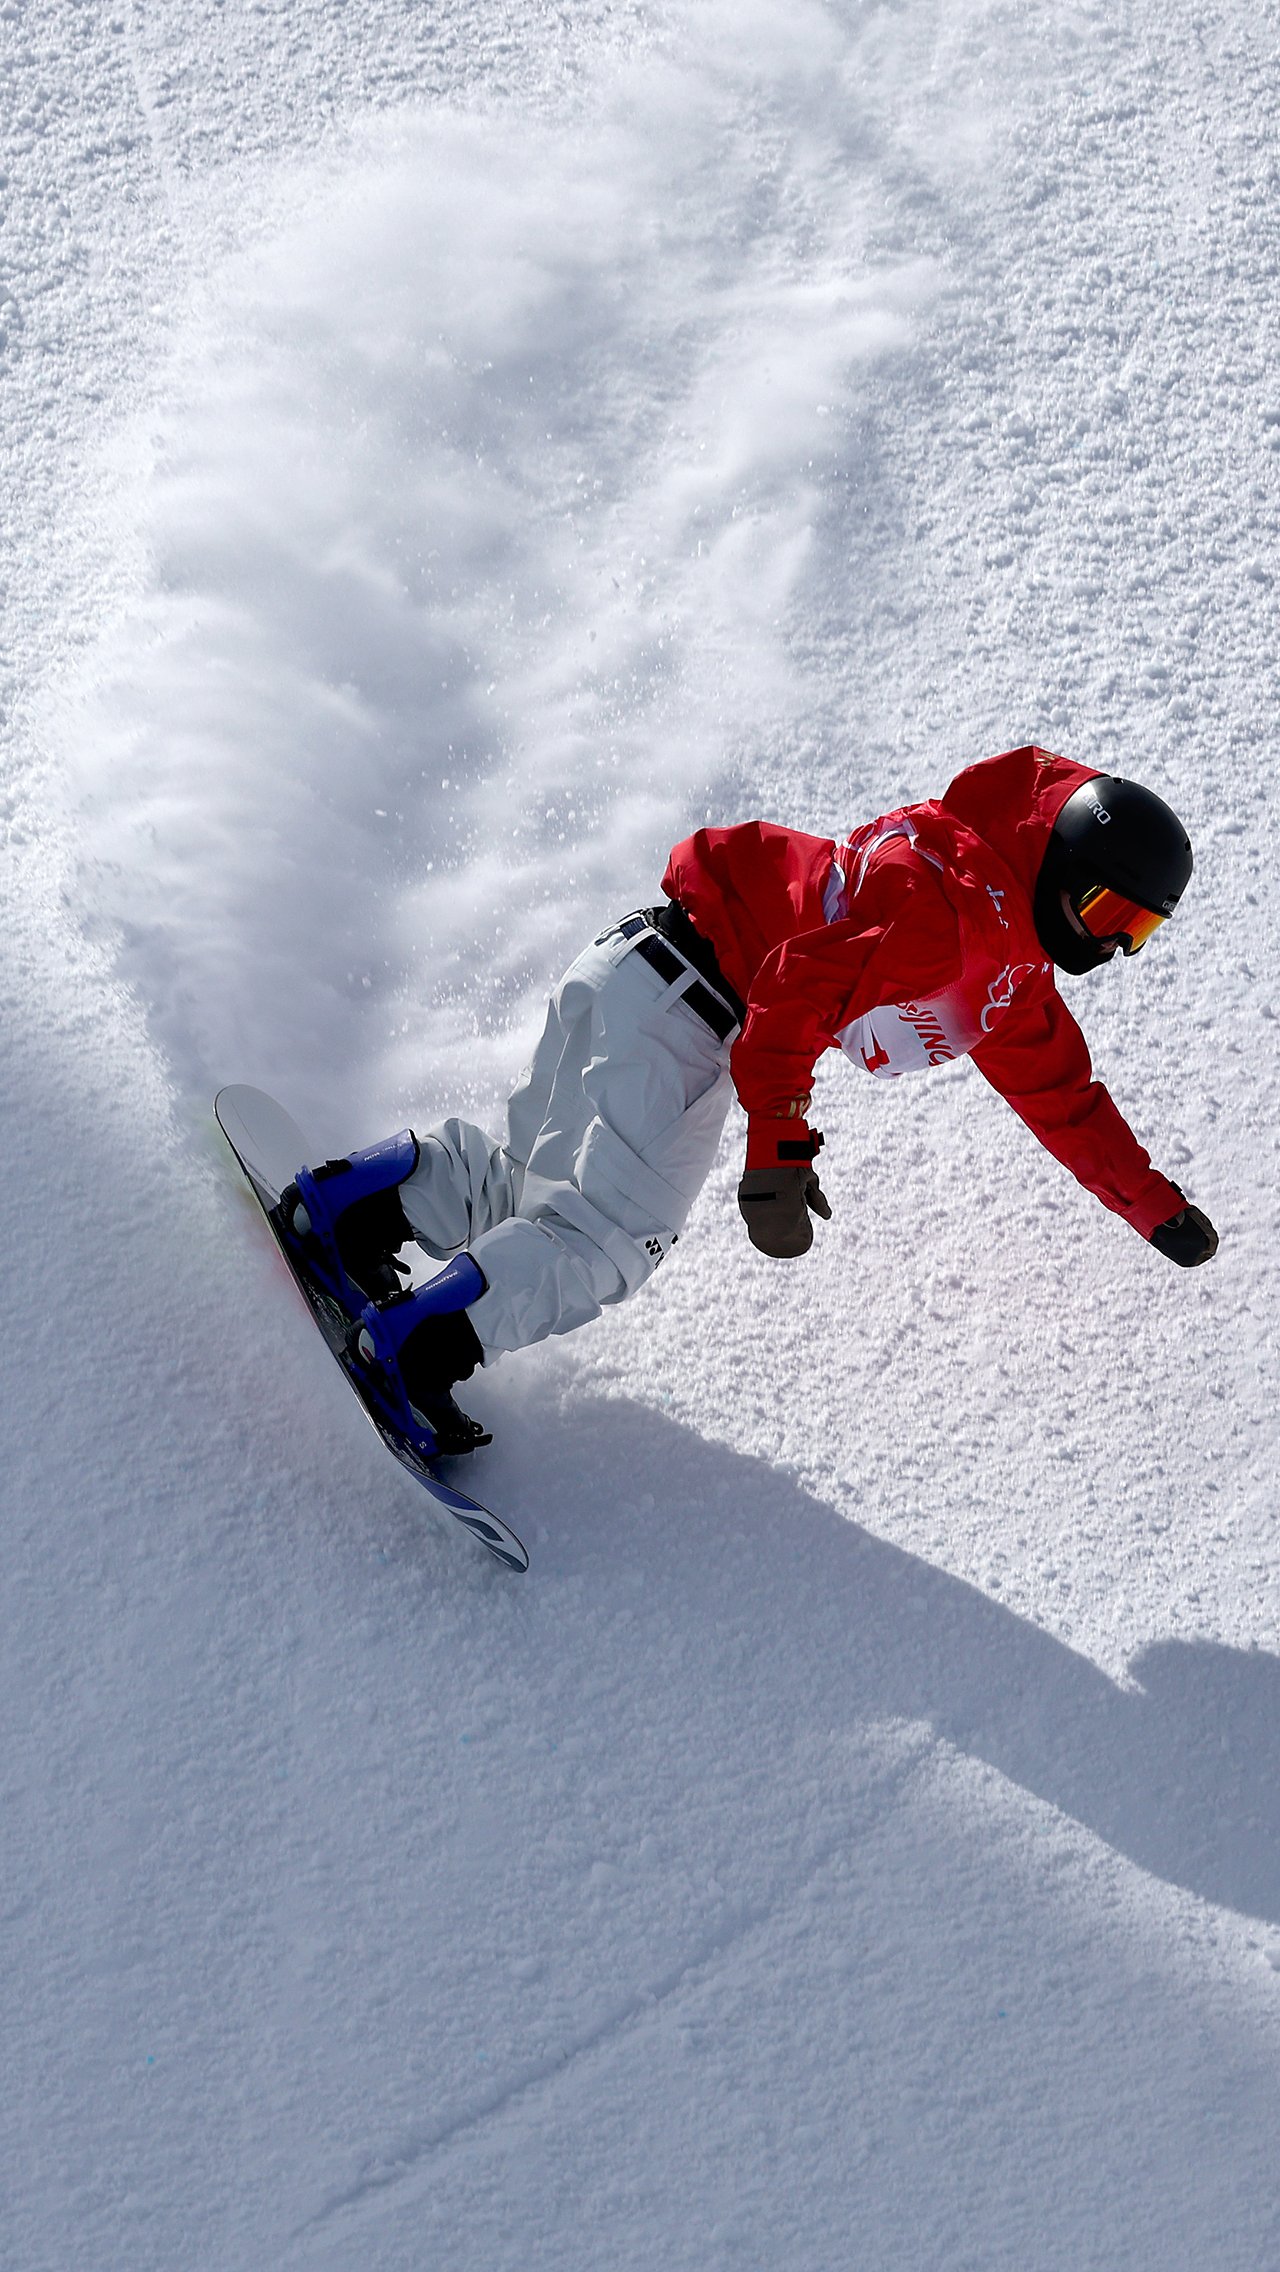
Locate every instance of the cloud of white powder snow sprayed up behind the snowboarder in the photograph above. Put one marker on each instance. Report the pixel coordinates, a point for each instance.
(479, 508)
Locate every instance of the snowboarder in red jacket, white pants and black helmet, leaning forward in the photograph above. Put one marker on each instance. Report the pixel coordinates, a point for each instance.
(924, 937)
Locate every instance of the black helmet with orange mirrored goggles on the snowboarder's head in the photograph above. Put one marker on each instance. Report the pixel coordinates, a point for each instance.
(1120, 860)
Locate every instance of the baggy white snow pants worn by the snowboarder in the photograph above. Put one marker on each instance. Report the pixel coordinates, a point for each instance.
(610, 1137)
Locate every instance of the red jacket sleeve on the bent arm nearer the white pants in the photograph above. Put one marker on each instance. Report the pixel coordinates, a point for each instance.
(901, 942)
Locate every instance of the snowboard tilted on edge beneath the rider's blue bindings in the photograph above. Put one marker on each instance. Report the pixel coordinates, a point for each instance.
(269, 1148)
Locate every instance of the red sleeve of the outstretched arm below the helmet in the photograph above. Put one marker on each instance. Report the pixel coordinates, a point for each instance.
(1038, 1060)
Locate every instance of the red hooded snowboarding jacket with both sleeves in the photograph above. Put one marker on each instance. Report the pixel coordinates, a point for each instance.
(908, 946)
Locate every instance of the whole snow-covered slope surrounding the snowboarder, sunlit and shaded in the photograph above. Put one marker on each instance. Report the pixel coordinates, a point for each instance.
(449, 451)
